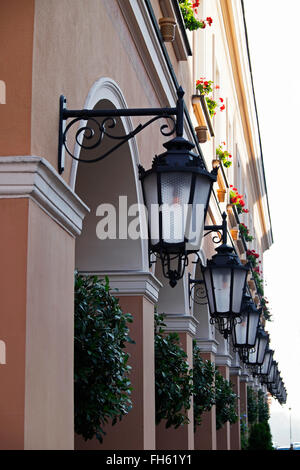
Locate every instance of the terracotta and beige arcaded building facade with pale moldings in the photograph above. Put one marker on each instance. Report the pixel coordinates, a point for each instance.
(112, 55)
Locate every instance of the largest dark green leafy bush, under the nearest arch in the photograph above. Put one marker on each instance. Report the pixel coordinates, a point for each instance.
(102, 387)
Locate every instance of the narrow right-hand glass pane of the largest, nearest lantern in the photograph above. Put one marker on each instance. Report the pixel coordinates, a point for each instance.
(195, 222)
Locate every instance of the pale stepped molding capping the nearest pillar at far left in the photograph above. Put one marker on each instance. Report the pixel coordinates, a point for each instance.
(35, 178)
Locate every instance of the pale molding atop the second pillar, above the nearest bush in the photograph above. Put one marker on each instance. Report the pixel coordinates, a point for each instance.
(131, 283)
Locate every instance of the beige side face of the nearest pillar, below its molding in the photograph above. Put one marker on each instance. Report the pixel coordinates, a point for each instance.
(49, 334)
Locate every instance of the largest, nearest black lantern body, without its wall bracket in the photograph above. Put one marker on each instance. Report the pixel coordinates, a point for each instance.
(176, 192)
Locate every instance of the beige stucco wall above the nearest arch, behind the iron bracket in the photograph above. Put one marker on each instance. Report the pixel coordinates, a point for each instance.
(73, 47)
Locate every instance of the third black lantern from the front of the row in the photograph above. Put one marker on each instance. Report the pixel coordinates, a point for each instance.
(244, 330)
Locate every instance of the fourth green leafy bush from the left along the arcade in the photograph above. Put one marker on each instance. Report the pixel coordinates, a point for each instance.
(226, 401)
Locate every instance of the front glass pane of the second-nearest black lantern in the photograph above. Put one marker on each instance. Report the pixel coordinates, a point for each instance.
(222, 282)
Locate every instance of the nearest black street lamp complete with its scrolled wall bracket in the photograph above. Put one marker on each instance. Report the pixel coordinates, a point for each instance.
(176, 189)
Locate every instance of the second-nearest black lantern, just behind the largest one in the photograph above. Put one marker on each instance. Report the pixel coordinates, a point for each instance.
(225, 281)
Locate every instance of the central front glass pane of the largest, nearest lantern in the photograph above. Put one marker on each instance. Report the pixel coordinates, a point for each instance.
(175, 194)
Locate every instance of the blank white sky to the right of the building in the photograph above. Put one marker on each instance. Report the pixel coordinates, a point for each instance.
(274, 42)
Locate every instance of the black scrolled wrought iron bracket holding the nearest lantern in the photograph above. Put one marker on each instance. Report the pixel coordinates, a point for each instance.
(89, 138)
